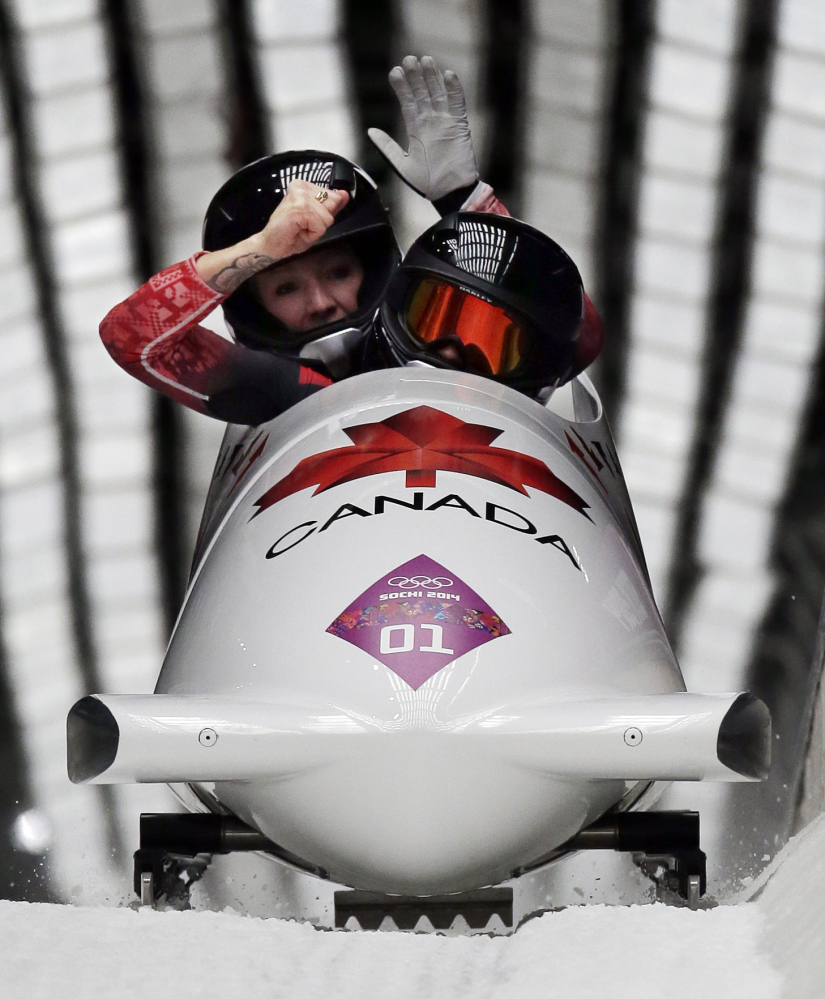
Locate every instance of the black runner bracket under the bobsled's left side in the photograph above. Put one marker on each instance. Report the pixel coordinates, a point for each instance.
(175, 850)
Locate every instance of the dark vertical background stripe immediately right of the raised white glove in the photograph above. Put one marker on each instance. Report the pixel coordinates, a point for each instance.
(503, 83)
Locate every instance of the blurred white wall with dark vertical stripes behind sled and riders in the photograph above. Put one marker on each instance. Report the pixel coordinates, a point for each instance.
(675, 148)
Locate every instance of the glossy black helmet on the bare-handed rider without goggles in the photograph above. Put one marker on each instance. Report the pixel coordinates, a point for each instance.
(242, 207)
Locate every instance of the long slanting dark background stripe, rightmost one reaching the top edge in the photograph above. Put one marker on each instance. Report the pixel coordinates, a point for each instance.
(730, 288)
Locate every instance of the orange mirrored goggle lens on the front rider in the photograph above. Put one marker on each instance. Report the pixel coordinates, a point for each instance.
(493, 339)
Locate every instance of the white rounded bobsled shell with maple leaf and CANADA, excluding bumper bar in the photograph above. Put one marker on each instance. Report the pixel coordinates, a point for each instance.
(422, 554)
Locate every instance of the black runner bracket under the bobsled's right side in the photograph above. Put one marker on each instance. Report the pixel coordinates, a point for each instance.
(665, 839)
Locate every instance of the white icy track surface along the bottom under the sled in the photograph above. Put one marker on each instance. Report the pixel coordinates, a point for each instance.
(768, 946)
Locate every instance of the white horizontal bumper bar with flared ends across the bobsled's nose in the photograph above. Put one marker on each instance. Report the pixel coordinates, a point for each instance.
(163, 738)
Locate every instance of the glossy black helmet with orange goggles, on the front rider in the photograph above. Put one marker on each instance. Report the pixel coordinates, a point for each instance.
(490, 294)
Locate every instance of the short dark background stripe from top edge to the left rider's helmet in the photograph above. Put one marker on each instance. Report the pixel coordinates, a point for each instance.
(248, 129)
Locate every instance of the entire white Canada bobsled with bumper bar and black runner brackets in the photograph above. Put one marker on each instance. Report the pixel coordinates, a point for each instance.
(419, 652)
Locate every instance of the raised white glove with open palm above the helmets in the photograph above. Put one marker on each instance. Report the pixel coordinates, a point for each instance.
(440, 157)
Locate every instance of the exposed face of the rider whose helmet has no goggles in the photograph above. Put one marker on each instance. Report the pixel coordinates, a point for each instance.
(312, 290)
